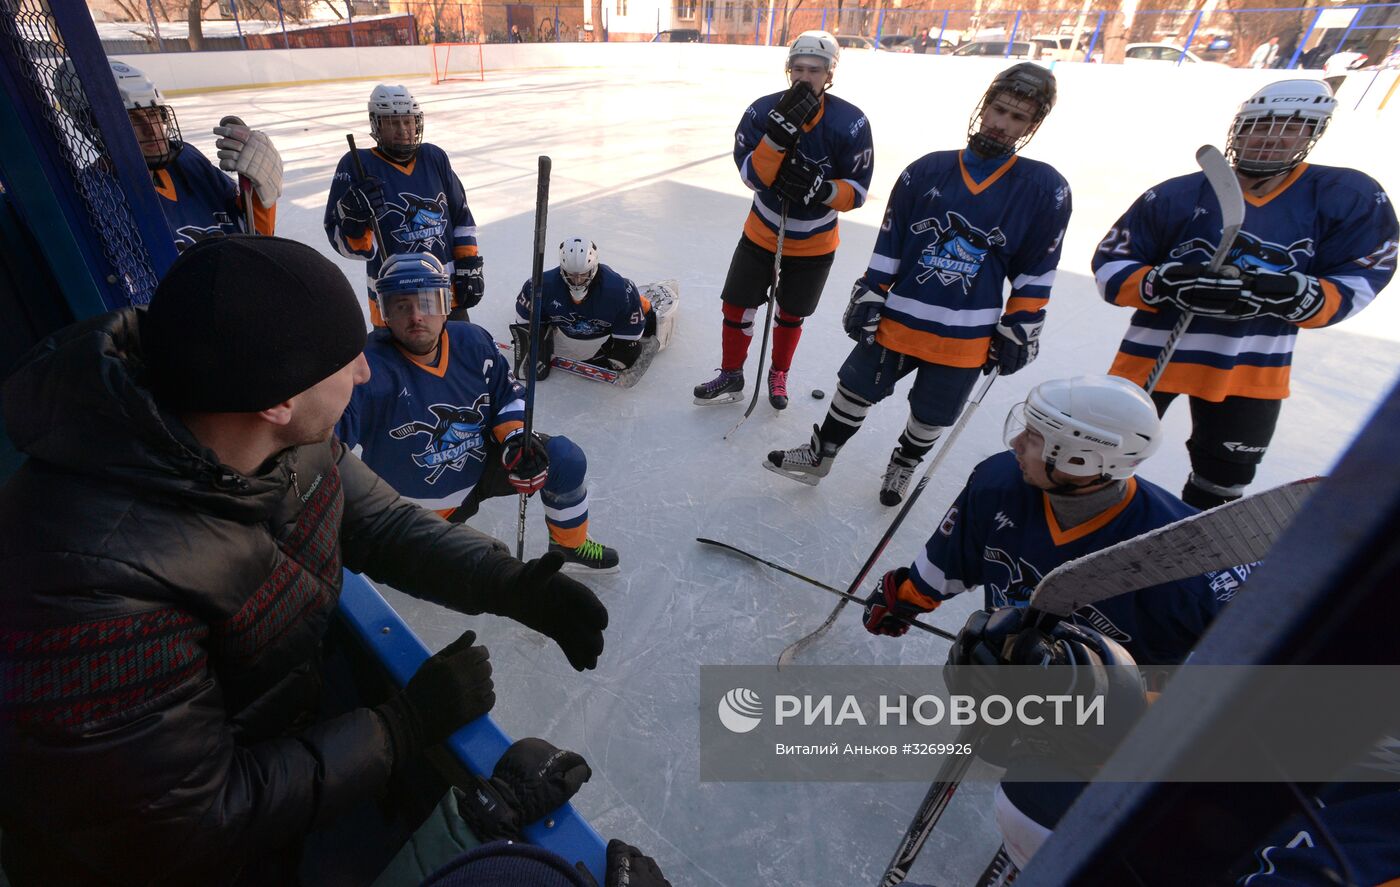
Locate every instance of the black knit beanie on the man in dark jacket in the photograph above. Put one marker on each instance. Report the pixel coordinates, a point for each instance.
(241, 324)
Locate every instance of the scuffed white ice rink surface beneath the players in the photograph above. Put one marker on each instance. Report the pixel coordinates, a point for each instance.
(643, 166)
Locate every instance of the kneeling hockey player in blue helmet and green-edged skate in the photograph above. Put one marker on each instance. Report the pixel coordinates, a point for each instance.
(442, 419)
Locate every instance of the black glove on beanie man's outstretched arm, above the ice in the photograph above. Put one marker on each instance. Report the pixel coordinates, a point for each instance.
(538, 597)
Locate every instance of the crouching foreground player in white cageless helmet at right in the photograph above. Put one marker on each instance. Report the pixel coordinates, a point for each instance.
(1066, 489)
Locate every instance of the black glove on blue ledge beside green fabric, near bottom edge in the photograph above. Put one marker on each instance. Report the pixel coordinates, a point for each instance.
(533, 780)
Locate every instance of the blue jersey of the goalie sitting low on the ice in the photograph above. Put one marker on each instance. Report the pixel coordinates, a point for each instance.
(612, 308)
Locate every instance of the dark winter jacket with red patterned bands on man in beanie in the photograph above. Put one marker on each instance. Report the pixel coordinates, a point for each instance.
(160, 627)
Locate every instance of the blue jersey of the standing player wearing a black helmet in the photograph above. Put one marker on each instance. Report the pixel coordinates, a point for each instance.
(950, 243)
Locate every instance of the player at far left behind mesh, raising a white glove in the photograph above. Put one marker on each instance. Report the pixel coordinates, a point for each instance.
(198, 201)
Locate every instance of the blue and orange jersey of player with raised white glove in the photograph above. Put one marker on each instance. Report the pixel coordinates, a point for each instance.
(201, 202)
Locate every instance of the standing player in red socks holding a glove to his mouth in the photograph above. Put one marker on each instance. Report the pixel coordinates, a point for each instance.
(807, 156)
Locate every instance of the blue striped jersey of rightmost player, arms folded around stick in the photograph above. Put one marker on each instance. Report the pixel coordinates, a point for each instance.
(1333, 225)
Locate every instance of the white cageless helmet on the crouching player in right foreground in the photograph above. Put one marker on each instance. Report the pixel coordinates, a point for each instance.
(1093, 426)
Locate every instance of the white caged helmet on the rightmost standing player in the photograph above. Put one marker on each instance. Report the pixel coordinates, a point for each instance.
(1277, 127)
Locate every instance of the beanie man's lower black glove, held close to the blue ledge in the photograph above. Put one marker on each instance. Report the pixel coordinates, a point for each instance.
(450, 690)
